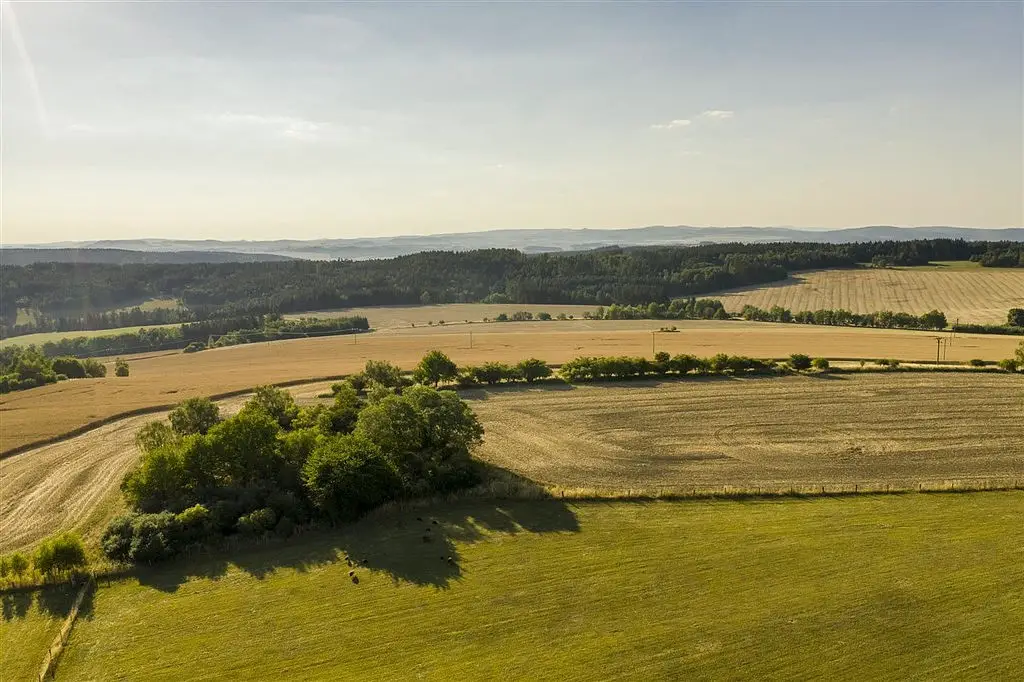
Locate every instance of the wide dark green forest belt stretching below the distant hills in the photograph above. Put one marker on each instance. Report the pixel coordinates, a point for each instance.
(626, 277)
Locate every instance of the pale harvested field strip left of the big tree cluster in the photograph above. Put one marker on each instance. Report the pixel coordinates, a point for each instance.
(73, 485)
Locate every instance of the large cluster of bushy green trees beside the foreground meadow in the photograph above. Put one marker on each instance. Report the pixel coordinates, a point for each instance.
(275, 466)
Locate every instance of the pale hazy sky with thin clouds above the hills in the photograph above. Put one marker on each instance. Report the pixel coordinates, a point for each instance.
(305, 120)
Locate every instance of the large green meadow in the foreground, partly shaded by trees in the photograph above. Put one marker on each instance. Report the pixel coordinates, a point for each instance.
(910, 587)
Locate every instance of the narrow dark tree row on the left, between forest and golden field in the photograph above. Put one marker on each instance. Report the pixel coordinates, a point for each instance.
(200, 335)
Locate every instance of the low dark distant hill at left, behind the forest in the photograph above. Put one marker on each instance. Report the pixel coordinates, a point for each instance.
(26, 257)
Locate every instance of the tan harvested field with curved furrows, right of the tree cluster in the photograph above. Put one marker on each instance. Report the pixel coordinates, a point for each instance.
(873, 430)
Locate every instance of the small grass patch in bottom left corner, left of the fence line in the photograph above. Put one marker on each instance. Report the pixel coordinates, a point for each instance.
(30, 623)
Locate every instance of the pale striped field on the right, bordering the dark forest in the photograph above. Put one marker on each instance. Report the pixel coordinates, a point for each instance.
(979, 295)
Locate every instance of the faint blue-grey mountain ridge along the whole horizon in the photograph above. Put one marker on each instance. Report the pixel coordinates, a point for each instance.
(529, 241)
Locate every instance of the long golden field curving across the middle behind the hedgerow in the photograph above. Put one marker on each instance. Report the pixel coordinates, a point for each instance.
(163, 379)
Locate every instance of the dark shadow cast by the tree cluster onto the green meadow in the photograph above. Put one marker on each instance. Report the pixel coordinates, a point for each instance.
(416, 542)
